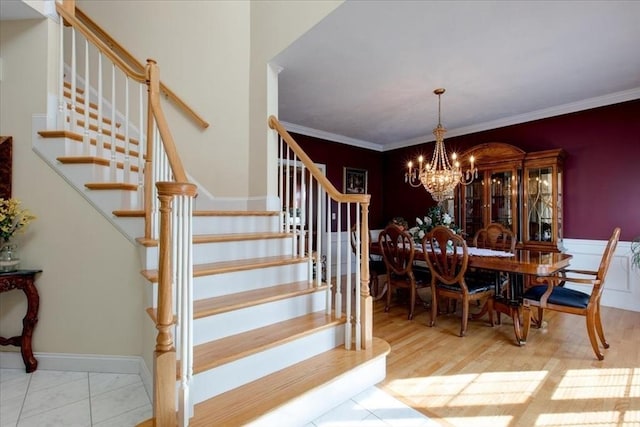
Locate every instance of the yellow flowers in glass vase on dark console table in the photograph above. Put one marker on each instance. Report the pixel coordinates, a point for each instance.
(13, 219)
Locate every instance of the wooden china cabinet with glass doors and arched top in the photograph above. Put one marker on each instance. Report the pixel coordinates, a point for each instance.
(522, 191)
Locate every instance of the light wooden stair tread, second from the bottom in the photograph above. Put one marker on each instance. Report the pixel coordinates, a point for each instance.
(215, 353)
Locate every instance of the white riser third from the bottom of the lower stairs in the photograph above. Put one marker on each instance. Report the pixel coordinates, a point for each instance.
(242, 320)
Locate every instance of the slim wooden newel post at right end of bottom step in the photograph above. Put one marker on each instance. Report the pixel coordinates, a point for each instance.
(366, 302)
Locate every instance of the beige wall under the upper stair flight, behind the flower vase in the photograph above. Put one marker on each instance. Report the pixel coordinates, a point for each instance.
(90, 289)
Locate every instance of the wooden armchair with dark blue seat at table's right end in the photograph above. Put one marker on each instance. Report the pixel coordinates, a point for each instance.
(550, 296)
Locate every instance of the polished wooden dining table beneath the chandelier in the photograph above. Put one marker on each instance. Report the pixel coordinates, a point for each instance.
(519, 265)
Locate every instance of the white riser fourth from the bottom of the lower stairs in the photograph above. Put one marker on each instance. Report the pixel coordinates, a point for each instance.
(240, 281)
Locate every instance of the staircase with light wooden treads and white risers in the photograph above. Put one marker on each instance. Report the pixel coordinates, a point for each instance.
(267, 347)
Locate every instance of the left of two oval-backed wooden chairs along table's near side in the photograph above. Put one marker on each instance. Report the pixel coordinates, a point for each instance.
(398, 252)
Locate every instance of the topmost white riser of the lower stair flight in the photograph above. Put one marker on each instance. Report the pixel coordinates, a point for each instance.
(234, 224)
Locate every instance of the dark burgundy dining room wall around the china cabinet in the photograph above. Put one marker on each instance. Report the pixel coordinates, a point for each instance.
(601, 180)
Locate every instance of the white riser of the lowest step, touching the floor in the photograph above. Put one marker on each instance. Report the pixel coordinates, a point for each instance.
(318, 401)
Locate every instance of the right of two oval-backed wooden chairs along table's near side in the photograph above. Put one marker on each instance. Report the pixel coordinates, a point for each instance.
(447, 256)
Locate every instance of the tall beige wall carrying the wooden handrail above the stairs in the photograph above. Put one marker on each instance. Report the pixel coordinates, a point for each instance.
(202, 49)
